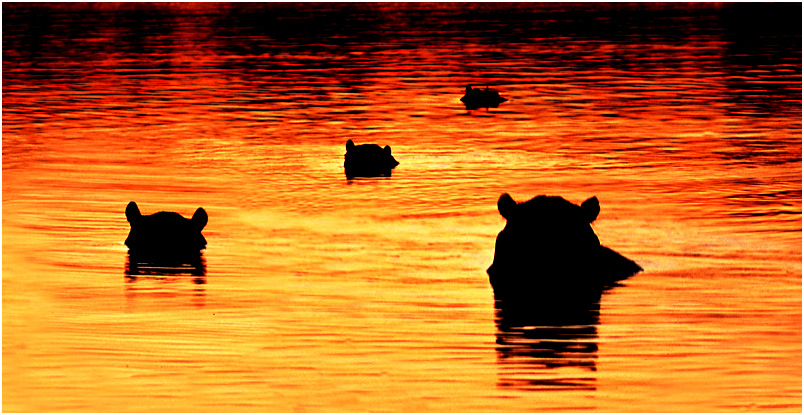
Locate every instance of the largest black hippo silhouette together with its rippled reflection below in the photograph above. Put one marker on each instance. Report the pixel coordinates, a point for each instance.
(549, 275)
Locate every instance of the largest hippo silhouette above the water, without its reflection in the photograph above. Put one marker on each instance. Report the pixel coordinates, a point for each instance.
(548, 251)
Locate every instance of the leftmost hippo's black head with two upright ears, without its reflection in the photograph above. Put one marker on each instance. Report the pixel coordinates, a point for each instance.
(165, 233)
